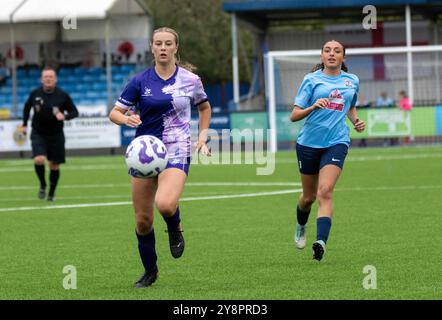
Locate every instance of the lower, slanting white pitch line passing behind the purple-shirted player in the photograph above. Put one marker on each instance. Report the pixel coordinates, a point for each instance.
(124, 203)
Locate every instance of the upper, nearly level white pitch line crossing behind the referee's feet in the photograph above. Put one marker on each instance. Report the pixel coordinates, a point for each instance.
(188, 184)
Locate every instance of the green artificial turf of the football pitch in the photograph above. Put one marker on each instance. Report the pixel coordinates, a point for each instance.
(388, 214)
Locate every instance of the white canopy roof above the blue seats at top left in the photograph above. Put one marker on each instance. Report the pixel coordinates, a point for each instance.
(55, 10)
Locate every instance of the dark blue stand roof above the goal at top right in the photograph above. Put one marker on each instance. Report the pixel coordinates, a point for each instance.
(264, 13)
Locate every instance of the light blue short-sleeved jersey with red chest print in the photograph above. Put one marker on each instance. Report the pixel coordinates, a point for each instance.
(326, 127)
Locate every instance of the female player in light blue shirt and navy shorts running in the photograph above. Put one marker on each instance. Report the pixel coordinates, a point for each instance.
(325, 97)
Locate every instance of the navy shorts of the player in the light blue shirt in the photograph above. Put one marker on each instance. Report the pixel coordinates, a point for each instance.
(311, 160)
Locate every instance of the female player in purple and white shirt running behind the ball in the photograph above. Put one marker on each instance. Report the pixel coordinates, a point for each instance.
(163, 96)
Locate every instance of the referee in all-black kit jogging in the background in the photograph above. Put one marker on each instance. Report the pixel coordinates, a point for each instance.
(51, 107)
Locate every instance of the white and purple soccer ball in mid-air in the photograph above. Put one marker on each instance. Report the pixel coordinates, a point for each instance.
(146, 157)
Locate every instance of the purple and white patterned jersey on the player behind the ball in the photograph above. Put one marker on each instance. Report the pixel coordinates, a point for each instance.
(164, 106)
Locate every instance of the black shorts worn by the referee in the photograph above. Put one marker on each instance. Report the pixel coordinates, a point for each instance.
(50, 146)
